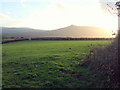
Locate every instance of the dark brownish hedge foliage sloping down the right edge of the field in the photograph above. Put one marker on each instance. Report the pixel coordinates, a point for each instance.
(105, 65)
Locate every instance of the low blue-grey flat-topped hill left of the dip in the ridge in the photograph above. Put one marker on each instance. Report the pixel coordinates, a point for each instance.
(21, 32)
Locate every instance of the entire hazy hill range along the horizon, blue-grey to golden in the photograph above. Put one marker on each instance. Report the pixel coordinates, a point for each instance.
(69, 31)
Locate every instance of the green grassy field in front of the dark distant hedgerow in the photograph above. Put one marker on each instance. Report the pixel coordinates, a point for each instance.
(40, 64)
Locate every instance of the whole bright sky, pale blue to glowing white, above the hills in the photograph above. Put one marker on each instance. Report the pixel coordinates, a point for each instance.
(54, 14)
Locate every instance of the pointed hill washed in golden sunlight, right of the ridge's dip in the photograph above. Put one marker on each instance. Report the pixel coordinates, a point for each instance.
(81, 31)
